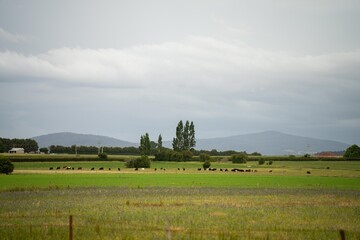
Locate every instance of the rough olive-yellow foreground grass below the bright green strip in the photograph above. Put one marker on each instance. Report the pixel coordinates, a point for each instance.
(180, 213)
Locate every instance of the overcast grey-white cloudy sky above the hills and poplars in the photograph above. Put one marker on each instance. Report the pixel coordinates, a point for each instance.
(123, 68)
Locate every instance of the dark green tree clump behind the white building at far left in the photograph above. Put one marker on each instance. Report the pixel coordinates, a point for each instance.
(7, 144)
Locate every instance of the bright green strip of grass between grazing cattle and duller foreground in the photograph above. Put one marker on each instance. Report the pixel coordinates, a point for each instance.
(140, 180)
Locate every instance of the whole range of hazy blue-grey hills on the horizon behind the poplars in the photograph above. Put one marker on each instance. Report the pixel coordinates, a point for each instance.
(266, 143)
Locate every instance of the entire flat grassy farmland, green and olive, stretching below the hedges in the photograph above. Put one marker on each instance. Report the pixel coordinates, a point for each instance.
(278, 201)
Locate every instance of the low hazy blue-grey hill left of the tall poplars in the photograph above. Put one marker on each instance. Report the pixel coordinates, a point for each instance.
(69, 139)
